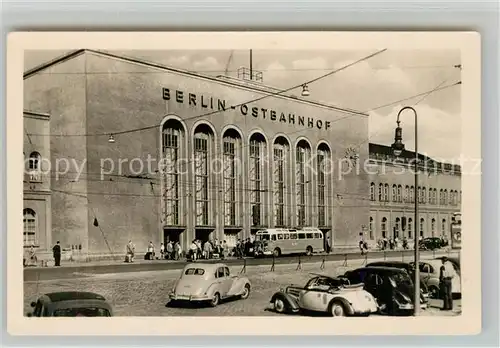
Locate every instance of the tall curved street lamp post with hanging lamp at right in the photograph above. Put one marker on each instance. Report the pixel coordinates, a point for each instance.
(398, 148)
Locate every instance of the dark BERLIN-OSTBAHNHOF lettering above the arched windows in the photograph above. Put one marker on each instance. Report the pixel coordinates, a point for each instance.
(220, 105)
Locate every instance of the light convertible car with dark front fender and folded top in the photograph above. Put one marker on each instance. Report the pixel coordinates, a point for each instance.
(323, 293)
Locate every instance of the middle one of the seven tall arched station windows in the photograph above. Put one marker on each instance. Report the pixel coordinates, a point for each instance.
(257, 155)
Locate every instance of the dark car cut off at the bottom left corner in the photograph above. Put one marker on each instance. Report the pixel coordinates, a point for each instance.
(71, 304)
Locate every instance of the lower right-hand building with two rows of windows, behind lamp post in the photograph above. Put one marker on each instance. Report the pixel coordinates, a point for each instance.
(392, 194)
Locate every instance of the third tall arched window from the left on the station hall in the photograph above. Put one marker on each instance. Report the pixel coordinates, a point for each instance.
(232, 157)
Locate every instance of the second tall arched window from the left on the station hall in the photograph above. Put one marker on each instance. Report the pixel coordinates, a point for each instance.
(203, 149)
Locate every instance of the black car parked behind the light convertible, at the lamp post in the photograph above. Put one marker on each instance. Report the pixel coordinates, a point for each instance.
(392, 287)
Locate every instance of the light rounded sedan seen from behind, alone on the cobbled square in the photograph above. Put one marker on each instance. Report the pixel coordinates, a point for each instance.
(209, 282)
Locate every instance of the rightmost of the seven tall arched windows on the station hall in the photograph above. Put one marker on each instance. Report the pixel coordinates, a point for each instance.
(323, 184)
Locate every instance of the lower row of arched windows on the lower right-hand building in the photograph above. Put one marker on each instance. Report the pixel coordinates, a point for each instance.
(399, 229)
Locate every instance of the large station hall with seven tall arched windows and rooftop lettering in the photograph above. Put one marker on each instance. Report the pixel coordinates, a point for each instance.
(193, 156)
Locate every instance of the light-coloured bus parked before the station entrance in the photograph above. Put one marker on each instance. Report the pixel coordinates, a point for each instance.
(281, 241)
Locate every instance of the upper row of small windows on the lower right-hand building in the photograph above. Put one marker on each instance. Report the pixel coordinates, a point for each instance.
(453, 197)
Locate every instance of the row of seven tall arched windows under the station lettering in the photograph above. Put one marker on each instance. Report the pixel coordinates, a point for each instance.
(204, 143)
